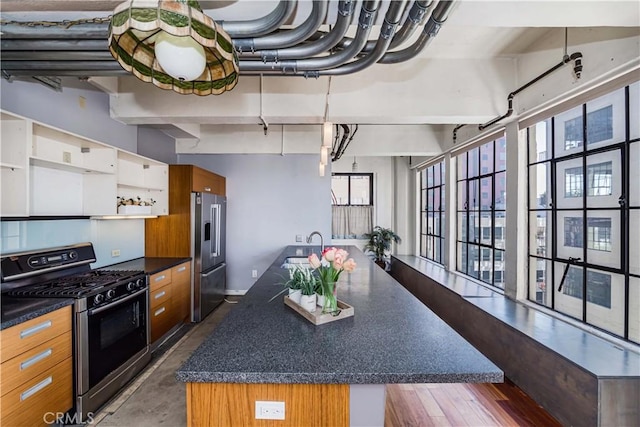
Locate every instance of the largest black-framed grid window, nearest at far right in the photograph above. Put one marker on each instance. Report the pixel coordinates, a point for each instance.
(584, 212)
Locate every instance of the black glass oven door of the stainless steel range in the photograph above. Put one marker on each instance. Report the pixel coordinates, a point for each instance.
(112, 335)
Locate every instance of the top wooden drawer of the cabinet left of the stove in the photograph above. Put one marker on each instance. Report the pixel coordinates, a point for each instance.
(25, 336)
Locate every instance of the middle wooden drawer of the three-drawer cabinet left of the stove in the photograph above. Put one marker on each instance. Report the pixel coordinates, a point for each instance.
(34, 362)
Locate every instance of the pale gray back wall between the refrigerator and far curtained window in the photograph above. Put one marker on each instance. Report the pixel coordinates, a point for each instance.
(270, 200)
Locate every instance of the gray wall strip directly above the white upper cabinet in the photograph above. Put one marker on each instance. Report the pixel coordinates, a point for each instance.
(79, 108)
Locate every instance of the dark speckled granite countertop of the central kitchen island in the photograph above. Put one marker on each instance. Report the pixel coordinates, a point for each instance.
(392, 338)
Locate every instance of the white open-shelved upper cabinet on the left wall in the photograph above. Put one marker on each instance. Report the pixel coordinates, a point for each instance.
(51, 172)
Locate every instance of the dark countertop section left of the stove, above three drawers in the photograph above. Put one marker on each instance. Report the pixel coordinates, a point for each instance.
(19, 310)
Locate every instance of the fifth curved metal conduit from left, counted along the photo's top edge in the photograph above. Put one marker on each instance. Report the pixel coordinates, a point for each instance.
(391, 21)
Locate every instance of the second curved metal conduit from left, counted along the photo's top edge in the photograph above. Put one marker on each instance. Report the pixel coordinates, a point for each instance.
(288, 38)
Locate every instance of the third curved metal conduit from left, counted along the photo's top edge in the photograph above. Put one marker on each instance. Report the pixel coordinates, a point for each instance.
(319, 45)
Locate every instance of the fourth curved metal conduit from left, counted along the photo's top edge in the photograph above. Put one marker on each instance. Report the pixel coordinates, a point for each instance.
(293, 67)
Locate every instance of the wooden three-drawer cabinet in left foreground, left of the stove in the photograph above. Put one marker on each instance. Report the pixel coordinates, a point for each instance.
(37, 369)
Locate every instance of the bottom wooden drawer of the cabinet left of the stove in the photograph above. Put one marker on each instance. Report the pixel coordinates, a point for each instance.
(51, 391)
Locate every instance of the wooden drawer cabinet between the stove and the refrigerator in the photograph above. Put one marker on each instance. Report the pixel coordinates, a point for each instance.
(170, 299)
